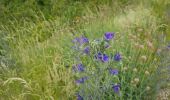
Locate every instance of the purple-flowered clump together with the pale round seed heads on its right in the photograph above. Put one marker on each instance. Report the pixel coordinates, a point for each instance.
(105, 69)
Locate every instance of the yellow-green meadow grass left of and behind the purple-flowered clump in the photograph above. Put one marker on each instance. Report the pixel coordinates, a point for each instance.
(35, 42)
